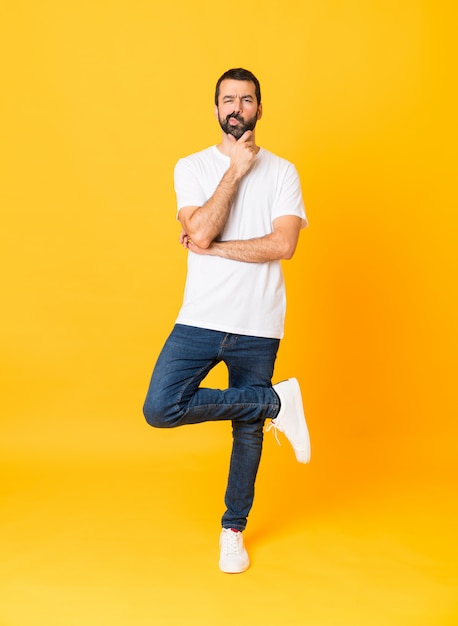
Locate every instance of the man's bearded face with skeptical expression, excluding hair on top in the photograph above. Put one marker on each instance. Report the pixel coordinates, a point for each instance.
(238, 109)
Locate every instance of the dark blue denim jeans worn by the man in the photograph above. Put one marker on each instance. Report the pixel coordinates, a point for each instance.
(175, 398)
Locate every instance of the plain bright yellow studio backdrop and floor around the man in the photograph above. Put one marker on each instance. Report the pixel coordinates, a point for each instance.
(106, 521)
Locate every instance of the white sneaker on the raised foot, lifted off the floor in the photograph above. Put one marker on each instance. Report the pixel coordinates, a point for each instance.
(291, 419)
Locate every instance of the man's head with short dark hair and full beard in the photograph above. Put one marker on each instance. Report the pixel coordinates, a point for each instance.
(238, 101)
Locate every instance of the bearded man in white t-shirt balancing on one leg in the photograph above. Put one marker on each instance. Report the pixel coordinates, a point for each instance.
(241, 212)
